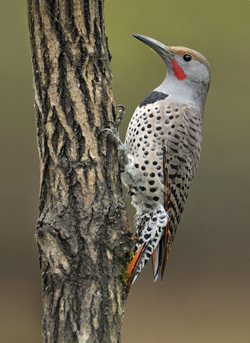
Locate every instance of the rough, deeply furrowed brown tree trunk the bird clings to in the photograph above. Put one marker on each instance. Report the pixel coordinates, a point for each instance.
(82, 232)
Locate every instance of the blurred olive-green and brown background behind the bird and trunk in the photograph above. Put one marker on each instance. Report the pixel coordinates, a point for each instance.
(205, 294)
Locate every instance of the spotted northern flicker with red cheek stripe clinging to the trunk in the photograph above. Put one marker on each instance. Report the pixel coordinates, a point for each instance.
(161, 152)
